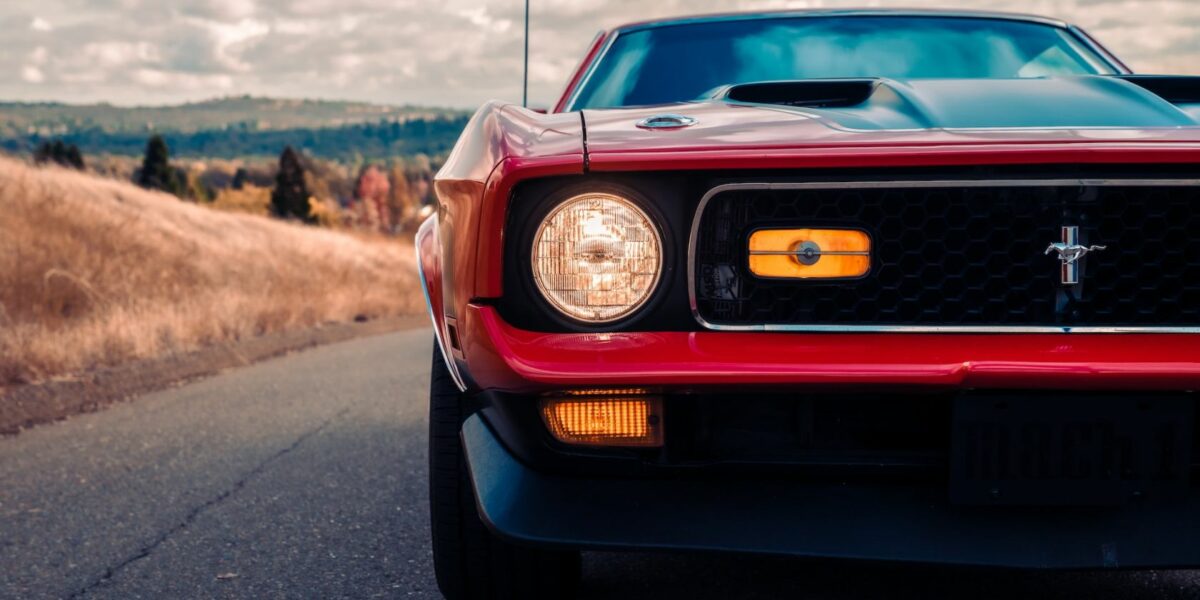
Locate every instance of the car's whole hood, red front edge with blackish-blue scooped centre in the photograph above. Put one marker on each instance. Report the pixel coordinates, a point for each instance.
(878, 112)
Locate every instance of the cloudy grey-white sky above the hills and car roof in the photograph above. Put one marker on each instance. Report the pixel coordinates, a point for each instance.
(428, 52)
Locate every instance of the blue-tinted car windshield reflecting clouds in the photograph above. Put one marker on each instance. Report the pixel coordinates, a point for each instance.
(682, 63)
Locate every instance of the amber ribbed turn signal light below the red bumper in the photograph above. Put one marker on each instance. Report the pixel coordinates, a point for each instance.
(608, 418)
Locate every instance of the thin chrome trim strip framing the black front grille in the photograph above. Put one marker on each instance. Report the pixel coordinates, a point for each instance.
(919, 329)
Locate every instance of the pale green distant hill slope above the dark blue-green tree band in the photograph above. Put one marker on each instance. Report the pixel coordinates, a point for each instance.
(237, 113)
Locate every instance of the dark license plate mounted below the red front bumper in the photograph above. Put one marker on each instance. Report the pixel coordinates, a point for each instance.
(1043, 451)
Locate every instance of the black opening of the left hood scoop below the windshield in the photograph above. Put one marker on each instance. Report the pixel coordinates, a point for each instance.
(808, 94)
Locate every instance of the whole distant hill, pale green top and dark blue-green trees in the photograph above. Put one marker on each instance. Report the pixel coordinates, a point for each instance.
(237, 129)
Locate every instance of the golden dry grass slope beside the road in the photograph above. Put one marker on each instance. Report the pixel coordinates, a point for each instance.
(97, 273)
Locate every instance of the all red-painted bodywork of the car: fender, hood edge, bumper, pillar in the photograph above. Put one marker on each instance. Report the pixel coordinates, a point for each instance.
(503, 146)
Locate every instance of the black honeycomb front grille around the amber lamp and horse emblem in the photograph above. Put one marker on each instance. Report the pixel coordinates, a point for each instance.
(963, 255)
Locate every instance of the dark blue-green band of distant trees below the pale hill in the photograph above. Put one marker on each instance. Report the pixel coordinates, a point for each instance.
(347, 143)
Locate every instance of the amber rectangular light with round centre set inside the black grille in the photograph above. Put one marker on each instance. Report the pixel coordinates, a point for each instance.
(811, 254)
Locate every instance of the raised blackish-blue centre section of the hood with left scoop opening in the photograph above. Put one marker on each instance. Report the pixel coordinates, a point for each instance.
(1029, 104)
